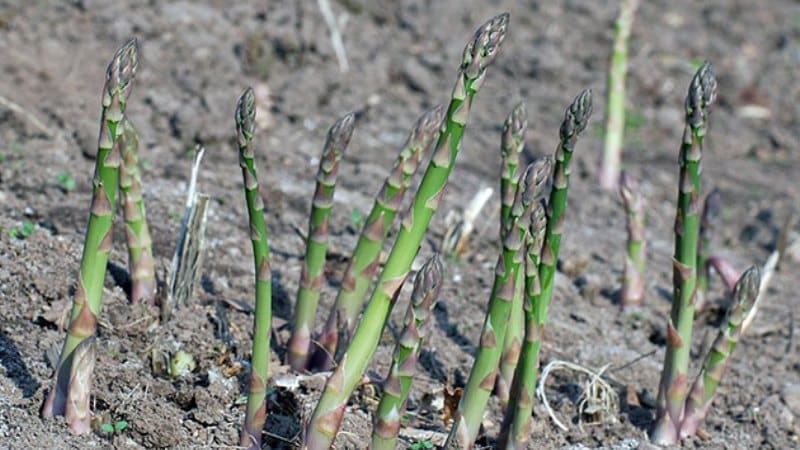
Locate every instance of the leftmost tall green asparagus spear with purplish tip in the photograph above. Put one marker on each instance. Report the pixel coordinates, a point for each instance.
(97, 244)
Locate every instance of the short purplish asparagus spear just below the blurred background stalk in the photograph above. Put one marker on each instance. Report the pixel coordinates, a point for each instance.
(636, 254)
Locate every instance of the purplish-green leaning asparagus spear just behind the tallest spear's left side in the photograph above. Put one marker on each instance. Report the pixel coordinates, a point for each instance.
(365, 261)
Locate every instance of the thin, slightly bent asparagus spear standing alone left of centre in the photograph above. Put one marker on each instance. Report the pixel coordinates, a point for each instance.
(256, 409)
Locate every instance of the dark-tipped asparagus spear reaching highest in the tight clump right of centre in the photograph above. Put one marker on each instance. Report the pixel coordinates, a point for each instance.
(576, 117)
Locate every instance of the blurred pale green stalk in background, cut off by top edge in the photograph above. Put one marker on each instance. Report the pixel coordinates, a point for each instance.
(615, 104)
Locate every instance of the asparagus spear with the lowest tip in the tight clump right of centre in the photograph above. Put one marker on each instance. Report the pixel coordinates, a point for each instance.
(516, 429)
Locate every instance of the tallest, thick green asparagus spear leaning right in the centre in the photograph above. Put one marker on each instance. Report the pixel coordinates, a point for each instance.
(479, 53)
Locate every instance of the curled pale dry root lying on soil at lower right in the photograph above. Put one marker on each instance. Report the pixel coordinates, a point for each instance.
(597, 398)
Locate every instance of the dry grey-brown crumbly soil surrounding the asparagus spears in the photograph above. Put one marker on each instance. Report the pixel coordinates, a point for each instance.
(197, 57)
